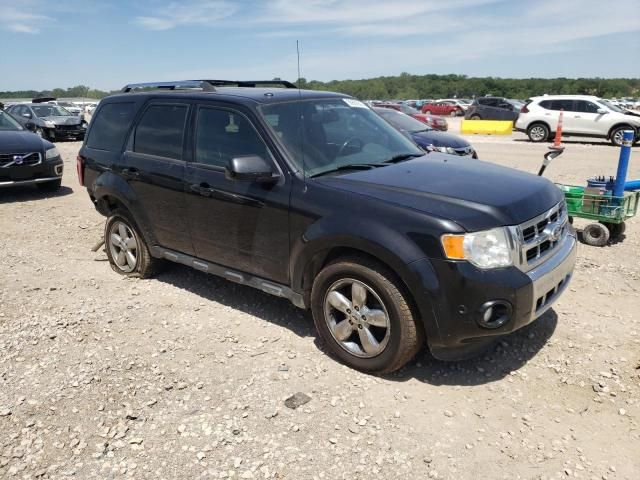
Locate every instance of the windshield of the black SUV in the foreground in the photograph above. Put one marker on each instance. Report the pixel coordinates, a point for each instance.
(323, 135)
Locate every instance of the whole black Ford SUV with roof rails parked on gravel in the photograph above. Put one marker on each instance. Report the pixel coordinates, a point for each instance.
(312, 196)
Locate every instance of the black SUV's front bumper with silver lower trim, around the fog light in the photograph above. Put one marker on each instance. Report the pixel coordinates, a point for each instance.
(464, 292)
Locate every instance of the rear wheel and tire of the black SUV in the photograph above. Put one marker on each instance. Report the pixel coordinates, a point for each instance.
(127, 251)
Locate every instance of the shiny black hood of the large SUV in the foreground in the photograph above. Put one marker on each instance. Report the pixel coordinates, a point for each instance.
(477, 195)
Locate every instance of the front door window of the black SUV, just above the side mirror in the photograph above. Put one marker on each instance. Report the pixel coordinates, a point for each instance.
(222, 135)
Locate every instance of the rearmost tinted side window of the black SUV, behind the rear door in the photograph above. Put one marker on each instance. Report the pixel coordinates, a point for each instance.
(110, 126)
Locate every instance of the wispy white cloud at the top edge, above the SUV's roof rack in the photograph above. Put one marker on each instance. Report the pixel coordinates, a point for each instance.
(190, 12)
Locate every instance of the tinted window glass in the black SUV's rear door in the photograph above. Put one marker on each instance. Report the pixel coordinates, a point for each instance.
(161, 130)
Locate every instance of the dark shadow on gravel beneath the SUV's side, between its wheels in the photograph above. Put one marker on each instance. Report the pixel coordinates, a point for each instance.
(276, 310)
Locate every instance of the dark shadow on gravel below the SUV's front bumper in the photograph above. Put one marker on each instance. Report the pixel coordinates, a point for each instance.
(507, 355)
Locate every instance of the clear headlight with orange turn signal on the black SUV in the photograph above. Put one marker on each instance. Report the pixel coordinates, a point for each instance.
(485, 250)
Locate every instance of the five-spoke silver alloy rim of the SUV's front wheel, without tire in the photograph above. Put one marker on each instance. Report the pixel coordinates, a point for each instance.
(357, 318)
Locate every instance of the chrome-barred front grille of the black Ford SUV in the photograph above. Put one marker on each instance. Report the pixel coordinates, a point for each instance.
(540, 236)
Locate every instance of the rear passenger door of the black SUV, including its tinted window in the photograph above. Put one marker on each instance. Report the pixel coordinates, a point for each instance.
(154, 167)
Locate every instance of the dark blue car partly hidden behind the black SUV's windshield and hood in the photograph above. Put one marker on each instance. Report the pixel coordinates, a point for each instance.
(426, 137)
